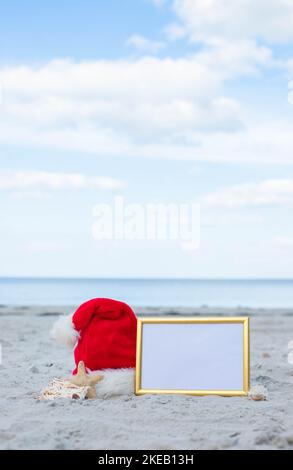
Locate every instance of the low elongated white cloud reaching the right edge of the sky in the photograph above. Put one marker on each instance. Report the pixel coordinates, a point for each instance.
(264, 193)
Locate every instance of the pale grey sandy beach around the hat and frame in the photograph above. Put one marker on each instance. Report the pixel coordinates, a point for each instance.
(30, 359)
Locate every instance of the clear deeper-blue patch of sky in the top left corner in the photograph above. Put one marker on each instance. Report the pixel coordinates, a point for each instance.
(39, 31)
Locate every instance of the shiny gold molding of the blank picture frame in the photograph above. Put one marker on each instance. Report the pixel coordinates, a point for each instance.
(227, 393)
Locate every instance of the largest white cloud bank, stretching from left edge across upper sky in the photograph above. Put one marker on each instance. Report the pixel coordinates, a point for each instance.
(144, 107)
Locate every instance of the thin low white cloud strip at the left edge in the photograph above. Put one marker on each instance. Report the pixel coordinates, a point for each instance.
(26, 180)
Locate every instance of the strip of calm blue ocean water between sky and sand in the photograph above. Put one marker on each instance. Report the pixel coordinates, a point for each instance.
(149, 292)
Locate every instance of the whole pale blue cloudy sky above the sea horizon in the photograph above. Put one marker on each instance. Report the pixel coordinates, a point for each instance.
(171, 102)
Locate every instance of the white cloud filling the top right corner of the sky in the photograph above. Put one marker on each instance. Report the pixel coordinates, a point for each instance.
(209, 20)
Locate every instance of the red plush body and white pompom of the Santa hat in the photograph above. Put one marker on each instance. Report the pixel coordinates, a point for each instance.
(103, 332)
